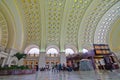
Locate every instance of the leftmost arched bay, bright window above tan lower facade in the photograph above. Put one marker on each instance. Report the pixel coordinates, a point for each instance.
(32, 58)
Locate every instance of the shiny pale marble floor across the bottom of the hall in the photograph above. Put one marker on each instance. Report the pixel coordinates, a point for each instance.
(74, 75)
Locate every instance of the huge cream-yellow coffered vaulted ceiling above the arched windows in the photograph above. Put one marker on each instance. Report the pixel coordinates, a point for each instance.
(63, 23)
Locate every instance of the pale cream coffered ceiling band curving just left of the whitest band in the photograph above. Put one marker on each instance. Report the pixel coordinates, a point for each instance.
(92, 17)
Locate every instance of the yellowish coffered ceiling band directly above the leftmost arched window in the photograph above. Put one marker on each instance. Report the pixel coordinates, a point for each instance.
(32, 26)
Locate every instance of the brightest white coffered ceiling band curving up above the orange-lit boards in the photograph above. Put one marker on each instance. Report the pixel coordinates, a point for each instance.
(104, 25)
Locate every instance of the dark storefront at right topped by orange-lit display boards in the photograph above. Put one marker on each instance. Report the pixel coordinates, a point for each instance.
(104, 58)
